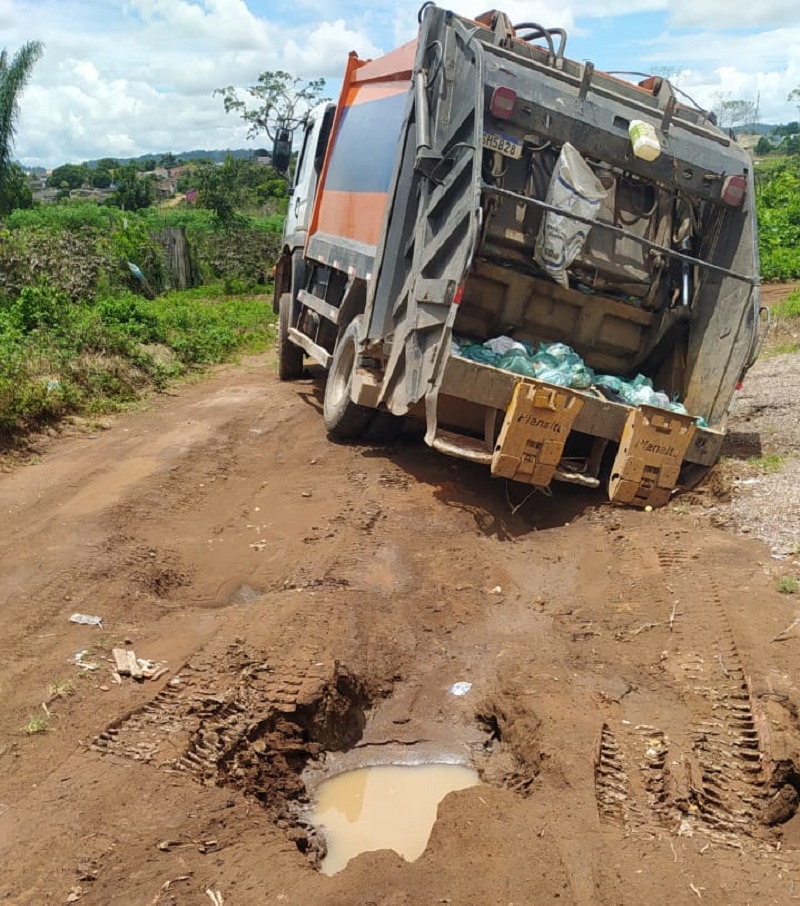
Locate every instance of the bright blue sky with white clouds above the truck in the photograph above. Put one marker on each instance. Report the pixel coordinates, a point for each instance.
(121, 78)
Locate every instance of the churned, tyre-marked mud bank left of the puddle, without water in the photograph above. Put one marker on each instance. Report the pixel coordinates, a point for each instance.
(239, 720)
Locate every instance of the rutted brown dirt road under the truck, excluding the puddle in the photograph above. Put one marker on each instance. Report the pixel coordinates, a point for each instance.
(633, 721)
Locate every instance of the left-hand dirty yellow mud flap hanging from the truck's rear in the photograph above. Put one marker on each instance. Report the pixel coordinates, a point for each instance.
(537, 424)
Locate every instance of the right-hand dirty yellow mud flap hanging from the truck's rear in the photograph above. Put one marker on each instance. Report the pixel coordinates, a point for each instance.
(651, 451)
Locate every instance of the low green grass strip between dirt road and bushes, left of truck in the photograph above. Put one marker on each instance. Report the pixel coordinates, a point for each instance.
(58, 358)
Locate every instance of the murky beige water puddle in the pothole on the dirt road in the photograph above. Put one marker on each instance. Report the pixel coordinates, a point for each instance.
(384, 807)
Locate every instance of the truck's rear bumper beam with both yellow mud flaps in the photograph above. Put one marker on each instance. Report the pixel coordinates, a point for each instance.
(538, 418)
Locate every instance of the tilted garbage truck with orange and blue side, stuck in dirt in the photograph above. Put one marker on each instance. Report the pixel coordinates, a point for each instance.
(554, 269)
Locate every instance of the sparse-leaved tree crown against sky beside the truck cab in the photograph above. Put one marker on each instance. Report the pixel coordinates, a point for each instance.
(279, 101)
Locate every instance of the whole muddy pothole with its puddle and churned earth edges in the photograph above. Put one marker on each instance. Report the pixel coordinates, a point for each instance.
(276, 731)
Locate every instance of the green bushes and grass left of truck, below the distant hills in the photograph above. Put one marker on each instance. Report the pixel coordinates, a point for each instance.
(89, 318)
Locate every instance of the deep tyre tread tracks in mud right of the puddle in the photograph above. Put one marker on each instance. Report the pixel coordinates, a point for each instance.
(714, 779)
